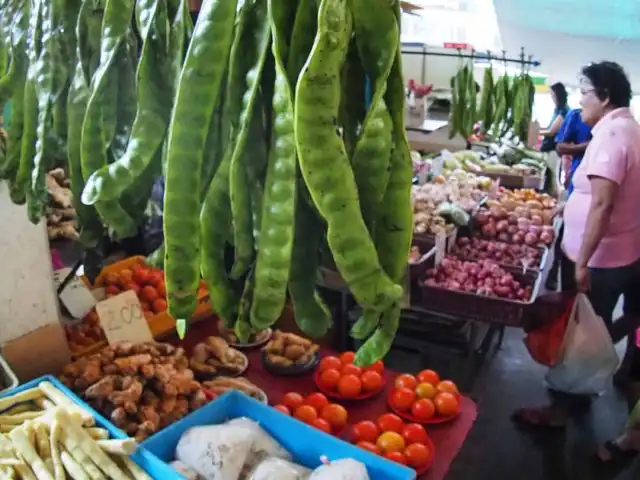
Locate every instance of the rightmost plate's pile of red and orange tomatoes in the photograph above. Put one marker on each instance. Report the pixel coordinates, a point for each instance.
(425, 396)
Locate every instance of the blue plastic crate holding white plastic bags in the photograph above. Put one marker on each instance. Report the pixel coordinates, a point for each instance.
(306, 444)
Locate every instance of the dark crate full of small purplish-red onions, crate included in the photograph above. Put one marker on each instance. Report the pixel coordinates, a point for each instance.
(483, 291)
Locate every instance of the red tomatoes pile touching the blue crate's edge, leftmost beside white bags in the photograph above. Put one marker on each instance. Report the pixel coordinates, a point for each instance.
(315, 410)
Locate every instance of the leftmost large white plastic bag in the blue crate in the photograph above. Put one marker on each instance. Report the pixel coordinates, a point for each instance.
(216, 452)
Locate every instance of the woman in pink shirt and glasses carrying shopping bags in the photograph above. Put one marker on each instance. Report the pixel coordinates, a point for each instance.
(601, 247)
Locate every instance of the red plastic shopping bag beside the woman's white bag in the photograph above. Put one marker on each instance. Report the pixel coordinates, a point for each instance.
(545, 342)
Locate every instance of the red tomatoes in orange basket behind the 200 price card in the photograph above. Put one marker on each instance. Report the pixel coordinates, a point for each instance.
(147, 282)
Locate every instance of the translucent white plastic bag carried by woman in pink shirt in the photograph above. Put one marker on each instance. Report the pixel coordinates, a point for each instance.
(588, 358)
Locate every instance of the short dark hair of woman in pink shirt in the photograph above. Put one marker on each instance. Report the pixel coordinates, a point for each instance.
(610, 81)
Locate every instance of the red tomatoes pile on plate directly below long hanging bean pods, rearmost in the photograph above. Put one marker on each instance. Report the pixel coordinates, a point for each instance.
(339, 377)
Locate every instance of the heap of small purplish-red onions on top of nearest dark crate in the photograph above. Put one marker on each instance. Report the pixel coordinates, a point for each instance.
(484, 277)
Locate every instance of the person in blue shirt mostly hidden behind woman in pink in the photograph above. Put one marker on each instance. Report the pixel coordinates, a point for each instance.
(572, 139)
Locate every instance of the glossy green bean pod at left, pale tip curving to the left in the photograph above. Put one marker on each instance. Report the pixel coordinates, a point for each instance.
(153, 109)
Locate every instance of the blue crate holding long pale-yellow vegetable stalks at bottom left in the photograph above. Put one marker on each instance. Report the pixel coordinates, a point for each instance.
(156, 468)
